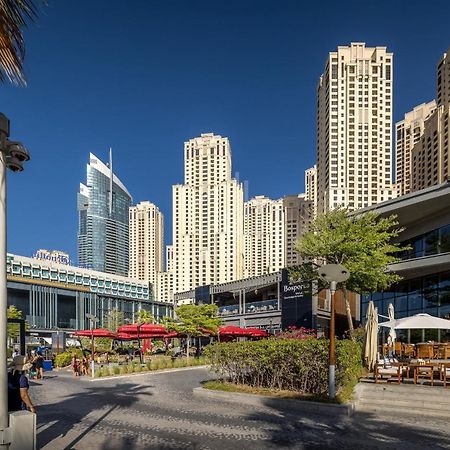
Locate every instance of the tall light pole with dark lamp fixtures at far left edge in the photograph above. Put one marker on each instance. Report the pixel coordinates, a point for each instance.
(12, 156)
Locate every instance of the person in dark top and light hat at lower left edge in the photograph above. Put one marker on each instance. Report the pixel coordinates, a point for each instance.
(18, 386)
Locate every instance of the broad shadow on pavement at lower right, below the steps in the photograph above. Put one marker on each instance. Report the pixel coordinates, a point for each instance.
(363, 430)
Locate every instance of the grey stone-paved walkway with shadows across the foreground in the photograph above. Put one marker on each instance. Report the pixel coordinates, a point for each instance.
(159, 411)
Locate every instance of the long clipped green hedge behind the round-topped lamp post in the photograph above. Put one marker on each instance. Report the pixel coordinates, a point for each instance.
(286, 364)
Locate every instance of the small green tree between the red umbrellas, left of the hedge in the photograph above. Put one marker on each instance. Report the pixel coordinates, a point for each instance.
(192, 320)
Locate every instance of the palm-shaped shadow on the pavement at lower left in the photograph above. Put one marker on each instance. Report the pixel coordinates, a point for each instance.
(72, 410)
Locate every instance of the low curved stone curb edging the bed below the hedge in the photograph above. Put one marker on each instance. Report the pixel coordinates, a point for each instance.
(265, 401)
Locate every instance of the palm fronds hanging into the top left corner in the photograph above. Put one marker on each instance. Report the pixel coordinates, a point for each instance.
(14, 15)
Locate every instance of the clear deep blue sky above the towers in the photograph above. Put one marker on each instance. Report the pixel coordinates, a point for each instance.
(144, 76)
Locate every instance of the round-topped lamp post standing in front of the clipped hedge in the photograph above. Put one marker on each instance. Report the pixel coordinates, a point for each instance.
(332, 274)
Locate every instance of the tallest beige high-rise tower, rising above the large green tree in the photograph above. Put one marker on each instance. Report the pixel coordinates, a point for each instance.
(354, 121)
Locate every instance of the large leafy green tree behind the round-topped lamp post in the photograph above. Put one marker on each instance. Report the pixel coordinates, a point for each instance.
(360, 242)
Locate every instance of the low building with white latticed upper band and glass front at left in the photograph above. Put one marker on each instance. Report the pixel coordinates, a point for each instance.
(56, 296)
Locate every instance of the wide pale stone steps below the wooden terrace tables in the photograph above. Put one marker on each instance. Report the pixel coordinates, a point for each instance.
(387, 398)
